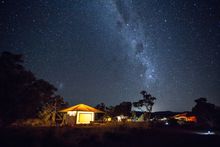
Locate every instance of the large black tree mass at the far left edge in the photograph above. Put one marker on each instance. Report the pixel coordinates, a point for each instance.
(22, 95)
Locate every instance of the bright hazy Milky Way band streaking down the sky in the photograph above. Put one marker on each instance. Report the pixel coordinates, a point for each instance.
(132, 31)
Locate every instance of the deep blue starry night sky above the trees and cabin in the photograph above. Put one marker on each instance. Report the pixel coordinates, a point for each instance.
(109, 50)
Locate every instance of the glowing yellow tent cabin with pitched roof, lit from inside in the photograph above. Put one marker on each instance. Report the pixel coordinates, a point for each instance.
(81, 114)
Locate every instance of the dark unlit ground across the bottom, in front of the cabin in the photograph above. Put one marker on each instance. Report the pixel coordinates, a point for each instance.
(105, 136)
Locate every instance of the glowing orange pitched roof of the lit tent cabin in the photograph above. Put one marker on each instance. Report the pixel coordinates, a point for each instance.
(81, 107)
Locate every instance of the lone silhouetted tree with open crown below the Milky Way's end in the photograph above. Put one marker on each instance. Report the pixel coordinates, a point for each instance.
(147, 102)
